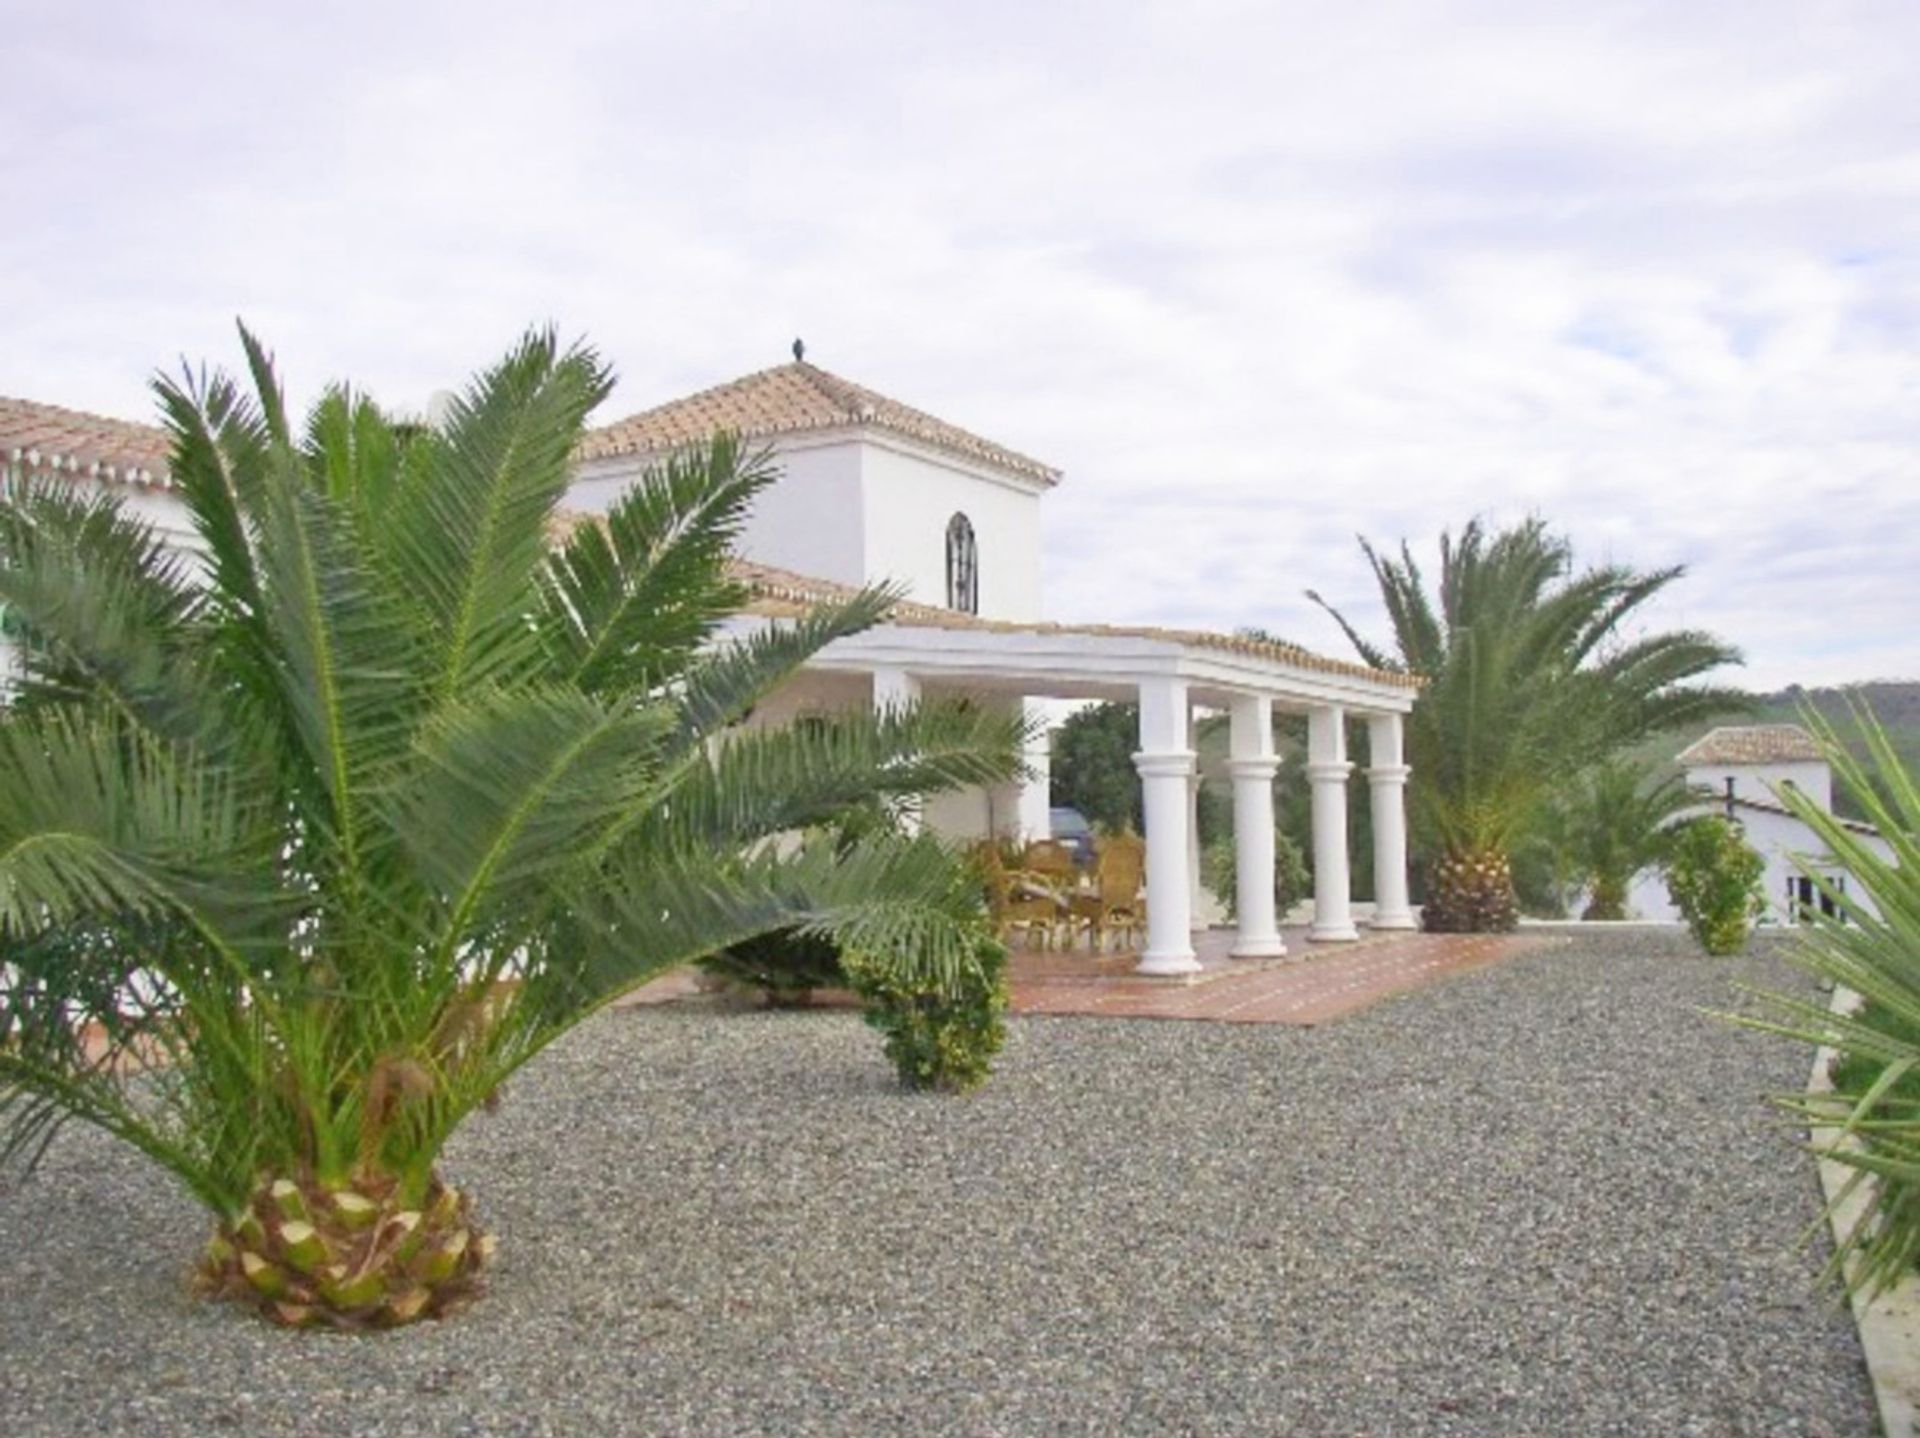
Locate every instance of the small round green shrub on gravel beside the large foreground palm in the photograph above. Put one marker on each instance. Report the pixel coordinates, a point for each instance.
(940, 1040)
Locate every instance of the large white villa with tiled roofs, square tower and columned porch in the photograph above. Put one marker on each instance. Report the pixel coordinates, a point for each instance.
(875, 491)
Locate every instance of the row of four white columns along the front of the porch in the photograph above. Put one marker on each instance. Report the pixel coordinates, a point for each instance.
(1168, 780)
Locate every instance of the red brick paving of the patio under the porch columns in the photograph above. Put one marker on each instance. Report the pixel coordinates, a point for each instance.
(1312, 984)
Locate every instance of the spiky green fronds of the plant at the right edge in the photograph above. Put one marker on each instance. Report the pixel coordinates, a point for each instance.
(1869, 947)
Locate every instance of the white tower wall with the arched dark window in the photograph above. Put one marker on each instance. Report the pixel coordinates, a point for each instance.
(913, 496)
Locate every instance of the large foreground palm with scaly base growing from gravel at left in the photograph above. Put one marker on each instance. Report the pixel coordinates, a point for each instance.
(310, 840)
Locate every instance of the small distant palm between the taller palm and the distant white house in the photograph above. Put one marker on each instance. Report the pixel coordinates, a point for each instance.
(1612, 827)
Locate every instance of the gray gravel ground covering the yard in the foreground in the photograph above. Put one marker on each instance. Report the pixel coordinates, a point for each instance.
(1543, 1199)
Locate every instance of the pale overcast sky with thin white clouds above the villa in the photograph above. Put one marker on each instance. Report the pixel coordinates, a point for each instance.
(1259, 277)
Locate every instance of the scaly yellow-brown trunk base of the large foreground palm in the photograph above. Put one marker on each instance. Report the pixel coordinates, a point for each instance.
(348, 1258)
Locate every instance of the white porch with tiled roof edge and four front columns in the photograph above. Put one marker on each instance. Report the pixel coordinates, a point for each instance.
(1170, 675)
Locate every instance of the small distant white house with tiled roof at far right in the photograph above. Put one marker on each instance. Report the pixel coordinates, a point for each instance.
(1740, 771)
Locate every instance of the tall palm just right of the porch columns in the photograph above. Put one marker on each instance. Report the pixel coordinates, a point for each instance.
(1527, 681)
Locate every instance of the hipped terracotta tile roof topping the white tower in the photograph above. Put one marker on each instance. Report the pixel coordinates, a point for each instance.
(796, 398)
